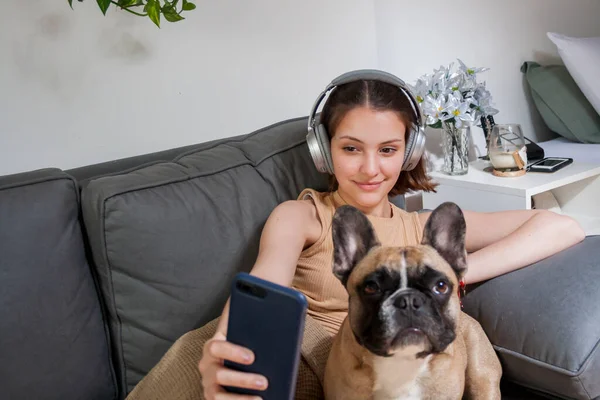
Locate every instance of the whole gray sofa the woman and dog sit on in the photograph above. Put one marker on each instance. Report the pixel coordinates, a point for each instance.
(103, 267)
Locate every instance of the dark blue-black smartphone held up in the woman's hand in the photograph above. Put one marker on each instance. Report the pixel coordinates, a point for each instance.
(269, 320)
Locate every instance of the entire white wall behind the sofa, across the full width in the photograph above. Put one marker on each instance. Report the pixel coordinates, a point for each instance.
(78, 88)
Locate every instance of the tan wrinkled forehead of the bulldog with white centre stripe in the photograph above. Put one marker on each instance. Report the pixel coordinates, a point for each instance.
(404, 263)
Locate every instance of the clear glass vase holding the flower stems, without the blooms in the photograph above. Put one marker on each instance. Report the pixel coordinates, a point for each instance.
(455, 145)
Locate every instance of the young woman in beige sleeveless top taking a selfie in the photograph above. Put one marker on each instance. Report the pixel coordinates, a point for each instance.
(368, 123)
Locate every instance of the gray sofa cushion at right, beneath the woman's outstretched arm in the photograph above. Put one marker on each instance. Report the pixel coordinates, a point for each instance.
(543, 321)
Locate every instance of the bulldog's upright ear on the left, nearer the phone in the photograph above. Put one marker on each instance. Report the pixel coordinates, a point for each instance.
(353, 237)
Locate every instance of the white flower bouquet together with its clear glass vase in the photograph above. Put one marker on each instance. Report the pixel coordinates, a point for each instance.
(451, 99)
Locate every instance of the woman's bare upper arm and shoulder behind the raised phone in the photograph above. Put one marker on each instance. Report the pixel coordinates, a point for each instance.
(292, 226)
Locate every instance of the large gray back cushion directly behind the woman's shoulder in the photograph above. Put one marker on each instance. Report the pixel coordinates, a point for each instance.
(168, 238)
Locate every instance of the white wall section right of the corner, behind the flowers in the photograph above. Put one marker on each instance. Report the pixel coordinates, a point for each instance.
(413, 39)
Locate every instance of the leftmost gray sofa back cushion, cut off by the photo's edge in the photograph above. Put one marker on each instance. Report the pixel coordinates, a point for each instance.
(53, 343)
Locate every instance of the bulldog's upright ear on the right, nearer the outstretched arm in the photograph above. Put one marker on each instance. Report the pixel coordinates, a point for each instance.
(445, 231)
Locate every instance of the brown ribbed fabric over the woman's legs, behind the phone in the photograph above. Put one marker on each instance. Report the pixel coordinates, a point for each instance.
(176, 376)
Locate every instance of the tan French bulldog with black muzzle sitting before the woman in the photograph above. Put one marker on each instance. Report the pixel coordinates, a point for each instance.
(405, 336)
